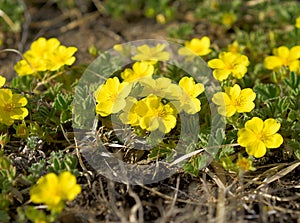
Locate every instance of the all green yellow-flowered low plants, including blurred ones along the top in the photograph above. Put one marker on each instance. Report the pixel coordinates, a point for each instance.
(233, 106)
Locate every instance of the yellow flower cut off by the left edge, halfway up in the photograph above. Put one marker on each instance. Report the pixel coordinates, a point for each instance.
(11, 107)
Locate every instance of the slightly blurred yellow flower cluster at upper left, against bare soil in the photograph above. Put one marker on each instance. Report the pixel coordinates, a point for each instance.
(45, 55)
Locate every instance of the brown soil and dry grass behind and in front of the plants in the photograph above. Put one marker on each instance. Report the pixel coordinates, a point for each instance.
(271, 194)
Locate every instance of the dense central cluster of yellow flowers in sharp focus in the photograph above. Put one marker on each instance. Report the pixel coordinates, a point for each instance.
(149, 111)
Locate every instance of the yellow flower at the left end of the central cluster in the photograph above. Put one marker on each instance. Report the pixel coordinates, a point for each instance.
(110, 97)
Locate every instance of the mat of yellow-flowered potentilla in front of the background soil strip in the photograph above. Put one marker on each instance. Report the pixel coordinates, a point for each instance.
(145, 106)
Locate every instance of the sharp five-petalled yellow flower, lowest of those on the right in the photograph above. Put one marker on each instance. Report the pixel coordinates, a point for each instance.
(258, 135)
